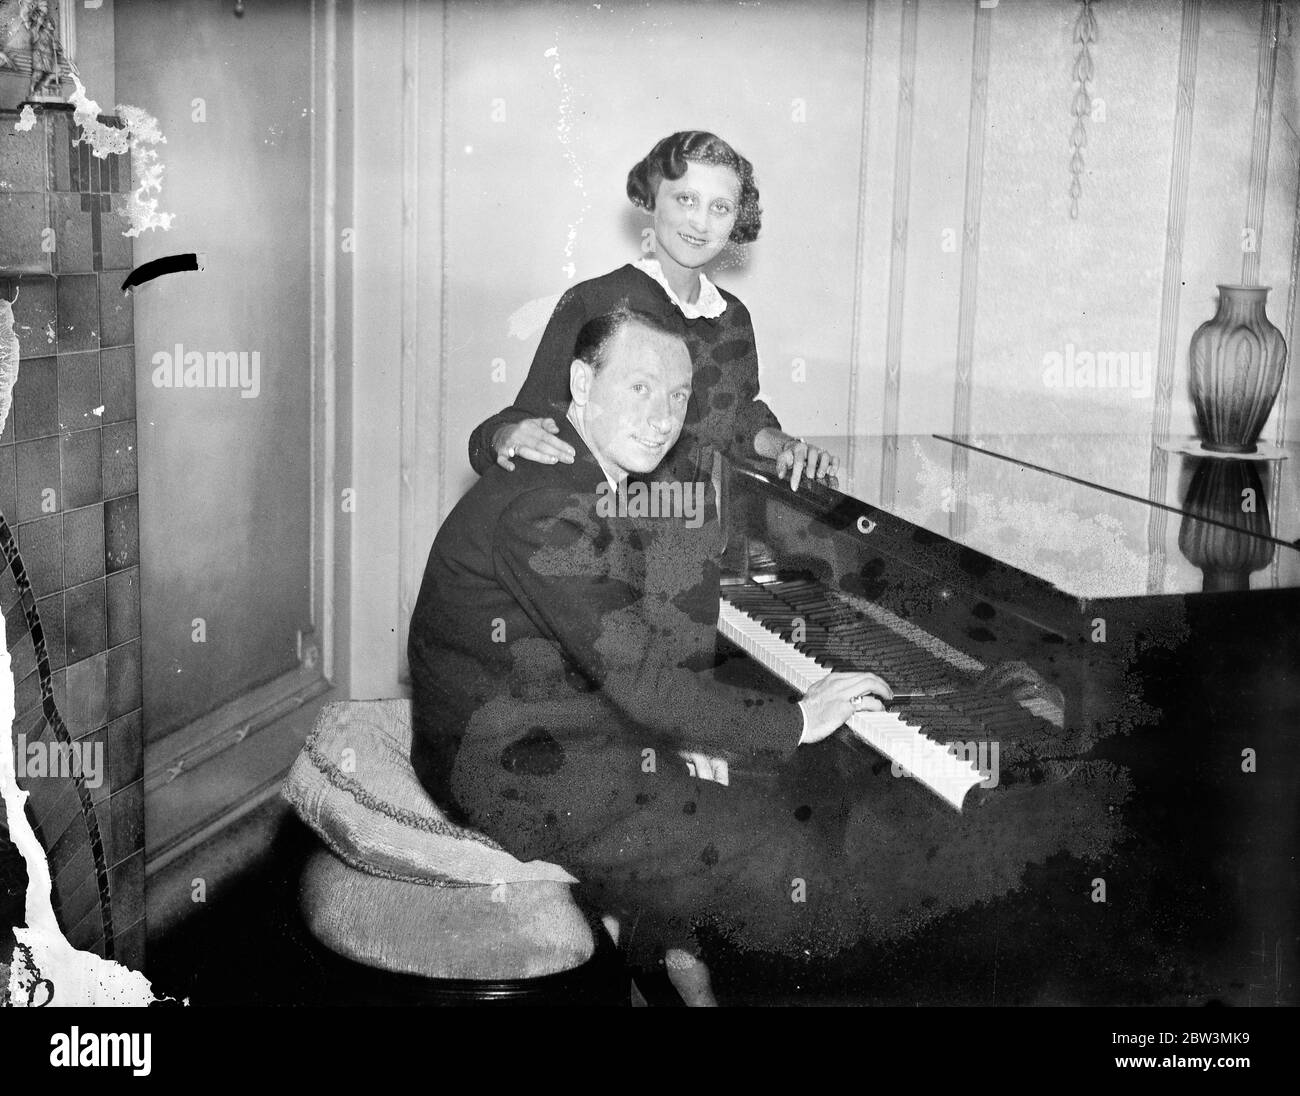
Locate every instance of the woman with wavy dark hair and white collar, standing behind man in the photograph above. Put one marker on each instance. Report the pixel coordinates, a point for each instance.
(701, 194)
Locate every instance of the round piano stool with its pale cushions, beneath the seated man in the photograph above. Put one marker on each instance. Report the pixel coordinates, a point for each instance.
(406, 908)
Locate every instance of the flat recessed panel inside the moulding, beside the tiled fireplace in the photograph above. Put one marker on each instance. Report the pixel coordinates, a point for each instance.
(229, 467)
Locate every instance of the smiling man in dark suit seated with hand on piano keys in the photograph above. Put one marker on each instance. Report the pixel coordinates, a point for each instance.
(562, 649)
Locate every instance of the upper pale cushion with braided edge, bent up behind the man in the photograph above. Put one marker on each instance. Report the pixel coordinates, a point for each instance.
(356, 787)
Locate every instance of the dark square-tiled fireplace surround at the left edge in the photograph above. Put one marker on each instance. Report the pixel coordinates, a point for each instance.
(71, 532)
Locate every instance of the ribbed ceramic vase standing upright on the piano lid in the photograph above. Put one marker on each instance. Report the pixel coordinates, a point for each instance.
(1237, 365)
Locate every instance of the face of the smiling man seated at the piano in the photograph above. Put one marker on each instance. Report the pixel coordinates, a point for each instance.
(638, 402)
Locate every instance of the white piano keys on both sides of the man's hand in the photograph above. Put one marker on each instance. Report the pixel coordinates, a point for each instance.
(926, 760)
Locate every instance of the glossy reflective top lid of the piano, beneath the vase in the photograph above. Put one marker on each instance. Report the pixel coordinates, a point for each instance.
(1095, 517)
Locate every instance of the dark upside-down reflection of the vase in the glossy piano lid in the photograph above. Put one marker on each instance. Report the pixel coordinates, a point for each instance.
(1227, 528)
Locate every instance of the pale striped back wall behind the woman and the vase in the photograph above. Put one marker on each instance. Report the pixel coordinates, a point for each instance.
(928, 246)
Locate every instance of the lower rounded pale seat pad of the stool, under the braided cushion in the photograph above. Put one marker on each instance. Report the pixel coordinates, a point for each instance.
(523, 930)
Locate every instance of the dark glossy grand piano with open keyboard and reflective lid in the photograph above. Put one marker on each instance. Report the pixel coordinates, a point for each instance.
(1104, 639)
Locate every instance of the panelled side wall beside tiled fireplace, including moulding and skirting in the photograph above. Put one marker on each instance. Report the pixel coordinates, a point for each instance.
(242, 486)
